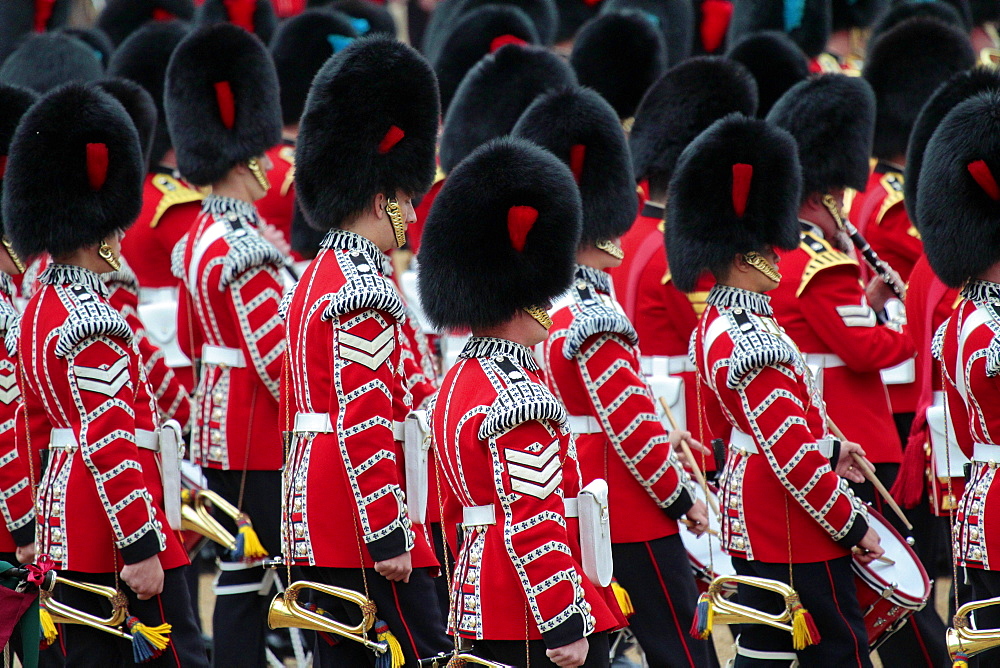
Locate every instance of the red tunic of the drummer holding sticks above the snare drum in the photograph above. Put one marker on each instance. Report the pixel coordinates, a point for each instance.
(786, 488)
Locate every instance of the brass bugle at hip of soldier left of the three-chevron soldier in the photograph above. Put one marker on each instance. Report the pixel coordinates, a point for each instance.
(285, 612)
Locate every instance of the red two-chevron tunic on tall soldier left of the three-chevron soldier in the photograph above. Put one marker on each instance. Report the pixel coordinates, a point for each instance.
(345, 483)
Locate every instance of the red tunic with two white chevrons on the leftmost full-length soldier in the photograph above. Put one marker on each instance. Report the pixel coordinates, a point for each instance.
(100, 498)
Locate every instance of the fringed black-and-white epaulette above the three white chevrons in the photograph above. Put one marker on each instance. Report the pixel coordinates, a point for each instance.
(521, 401)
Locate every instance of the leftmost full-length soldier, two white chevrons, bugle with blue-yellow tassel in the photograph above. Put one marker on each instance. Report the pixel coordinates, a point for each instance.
(101, 506)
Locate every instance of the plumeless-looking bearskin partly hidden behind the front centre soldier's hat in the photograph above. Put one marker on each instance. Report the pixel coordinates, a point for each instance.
(494, 94)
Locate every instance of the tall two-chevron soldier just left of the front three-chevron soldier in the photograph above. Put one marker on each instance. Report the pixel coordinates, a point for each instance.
(345, 395)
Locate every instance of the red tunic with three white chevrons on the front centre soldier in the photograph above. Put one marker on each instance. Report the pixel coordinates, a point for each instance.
(501, 439)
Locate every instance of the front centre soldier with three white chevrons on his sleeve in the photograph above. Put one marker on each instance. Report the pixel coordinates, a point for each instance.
(519, 593)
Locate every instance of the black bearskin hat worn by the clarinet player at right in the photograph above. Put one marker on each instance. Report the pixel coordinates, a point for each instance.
(832, 119)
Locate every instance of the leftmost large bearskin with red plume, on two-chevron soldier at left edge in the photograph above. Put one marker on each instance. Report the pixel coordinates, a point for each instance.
(74, 173)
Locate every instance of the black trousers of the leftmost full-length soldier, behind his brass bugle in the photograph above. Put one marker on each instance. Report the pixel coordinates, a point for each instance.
(86, 647)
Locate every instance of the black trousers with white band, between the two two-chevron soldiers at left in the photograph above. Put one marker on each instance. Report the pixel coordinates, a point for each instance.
(239, 621)
